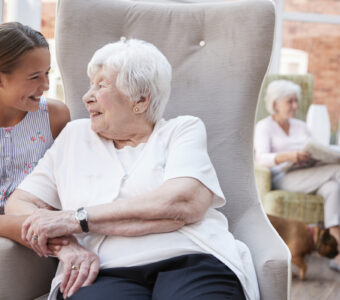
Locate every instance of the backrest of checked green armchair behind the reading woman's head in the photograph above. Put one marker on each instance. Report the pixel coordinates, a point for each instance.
(305, 82)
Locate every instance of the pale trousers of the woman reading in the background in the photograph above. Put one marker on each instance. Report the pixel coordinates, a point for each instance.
(324, 180)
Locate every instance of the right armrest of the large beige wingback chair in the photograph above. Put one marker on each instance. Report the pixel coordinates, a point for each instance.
(271, 256)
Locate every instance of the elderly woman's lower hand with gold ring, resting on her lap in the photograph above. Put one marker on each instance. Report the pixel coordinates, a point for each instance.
(80, 266)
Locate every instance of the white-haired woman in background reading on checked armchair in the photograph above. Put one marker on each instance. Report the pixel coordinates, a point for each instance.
(279, 139)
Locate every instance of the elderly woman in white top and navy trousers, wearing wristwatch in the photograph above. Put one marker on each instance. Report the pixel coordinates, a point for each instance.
(136, 195)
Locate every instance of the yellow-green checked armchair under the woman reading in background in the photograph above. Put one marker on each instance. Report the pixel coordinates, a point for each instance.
(302, 207)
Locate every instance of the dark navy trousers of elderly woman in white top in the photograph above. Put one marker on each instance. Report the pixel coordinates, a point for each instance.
(186, 277)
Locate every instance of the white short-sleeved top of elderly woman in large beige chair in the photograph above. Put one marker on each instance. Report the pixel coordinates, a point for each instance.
(83, 169)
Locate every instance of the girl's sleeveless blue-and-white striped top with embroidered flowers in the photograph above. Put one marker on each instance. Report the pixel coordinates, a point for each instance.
(21, 146)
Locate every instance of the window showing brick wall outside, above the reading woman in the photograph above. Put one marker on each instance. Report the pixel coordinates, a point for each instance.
(308, 41)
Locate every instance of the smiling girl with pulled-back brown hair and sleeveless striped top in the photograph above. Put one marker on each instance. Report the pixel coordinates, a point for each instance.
(29, 123)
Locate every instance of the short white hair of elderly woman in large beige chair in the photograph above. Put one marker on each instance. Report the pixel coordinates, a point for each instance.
(141, 69)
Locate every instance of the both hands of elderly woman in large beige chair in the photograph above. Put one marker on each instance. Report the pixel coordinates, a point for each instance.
(50, 233)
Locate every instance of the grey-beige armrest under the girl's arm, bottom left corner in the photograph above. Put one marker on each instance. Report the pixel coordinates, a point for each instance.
(23, 275)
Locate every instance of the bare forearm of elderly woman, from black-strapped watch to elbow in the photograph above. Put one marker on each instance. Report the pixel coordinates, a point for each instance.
(183, 200)
